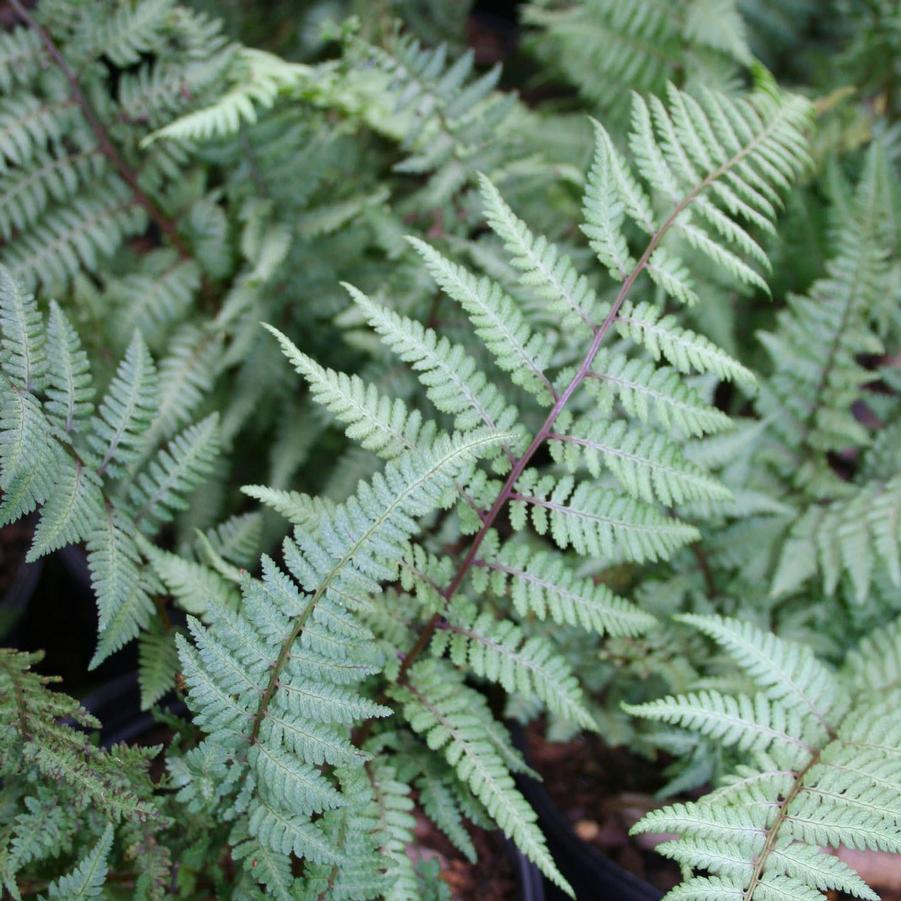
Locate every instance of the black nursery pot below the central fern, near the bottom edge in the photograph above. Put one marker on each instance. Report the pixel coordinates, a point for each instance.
(591, 874)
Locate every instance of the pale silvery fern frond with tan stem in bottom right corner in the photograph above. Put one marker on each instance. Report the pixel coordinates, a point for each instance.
(816, 775)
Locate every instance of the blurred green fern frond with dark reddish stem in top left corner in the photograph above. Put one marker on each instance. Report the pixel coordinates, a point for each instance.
(73, 184)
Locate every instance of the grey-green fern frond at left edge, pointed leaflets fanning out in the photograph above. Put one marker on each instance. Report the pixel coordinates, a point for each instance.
(91, 472)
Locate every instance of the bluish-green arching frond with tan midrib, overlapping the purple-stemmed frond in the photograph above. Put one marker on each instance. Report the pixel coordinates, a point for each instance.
(281, 674)
